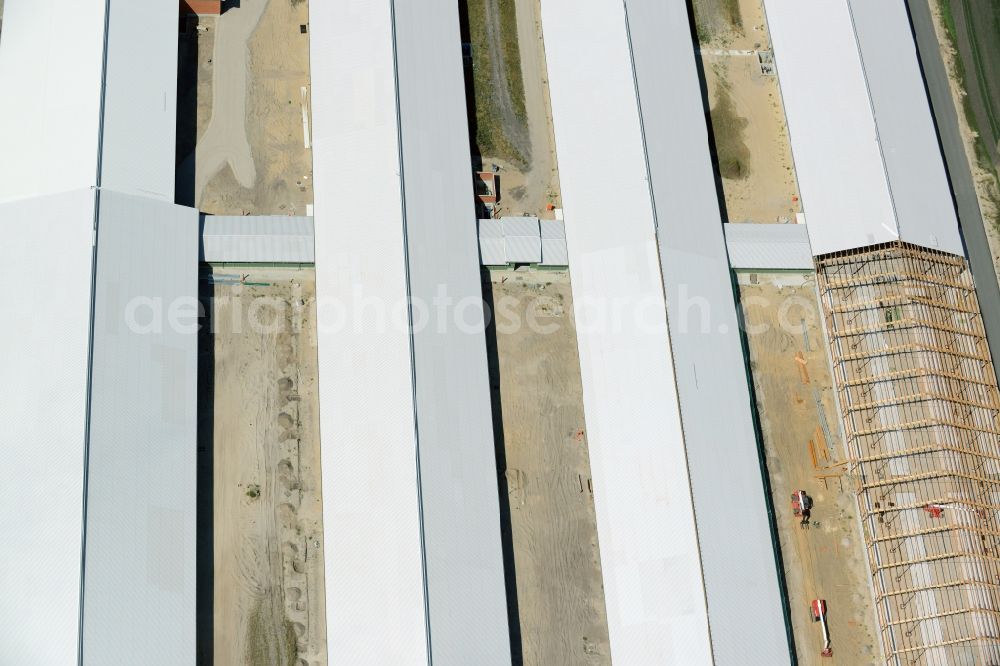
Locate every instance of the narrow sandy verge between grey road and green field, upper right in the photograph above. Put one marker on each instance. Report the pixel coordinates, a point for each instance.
(987, 190)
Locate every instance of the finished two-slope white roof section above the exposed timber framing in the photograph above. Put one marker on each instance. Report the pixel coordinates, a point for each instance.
(866, 153)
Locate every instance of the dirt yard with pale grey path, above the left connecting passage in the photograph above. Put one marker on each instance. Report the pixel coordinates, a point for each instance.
(252, 154)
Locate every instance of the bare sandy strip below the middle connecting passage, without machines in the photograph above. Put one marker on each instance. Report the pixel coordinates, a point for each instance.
(560, 595)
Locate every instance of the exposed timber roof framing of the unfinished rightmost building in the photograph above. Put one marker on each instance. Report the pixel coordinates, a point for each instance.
(921, 412)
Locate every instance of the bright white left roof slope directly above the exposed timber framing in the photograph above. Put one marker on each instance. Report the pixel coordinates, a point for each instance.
(845, 194)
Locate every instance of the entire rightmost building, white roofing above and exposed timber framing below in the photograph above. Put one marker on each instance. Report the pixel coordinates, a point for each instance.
(916, 382)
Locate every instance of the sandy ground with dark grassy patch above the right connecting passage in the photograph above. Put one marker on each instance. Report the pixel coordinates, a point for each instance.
(748, 119)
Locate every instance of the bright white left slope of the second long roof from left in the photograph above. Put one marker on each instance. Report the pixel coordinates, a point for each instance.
(374, 574)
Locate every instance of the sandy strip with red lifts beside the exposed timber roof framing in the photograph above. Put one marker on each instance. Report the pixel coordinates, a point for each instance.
(796, 404)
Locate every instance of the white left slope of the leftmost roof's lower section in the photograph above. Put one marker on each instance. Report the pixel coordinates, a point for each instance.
(46, 256)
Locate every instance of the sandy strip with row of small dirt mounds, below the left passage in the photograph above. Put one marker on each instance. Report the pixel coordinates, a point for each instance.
(268, 546)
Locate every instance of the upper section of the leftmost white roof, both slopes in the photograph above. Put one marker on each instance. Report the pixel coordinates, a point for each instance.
(52, 71)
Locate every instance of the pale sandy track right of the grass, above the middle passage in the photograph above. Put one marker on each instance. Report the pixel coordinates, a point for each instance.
(530, 191)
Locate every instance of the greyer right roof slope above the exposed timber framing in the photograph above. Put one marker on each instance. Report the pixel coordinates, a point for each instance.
(907, 136)
